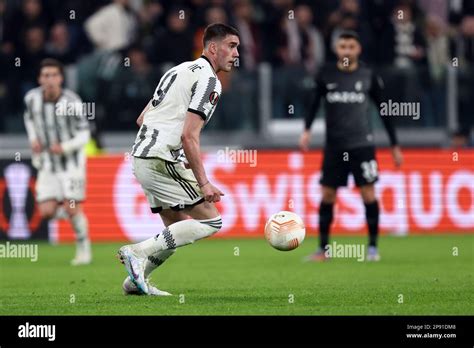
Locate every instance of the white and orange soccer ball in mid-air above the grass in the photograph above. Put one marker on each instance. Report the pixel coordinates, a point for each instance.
(285, 230)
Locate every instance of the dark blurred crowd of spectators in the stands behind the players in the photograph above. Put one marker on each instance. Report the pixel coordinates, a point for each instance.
(116, 51)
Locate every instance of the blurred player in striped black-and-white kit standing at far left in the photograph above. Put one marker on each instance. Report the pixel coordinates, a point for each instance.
(58, 130)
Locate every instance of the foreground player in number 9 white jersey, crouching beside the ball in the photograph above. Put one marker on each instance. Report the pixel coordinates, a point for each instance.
(167, 159)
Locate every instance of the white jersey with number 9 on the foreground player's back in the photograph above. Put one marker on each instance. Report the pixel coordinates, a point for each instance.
(191, 86)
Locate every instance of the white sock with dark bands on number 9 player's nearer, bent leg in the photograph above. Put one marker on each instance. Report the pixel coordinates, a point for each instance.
(179, 234)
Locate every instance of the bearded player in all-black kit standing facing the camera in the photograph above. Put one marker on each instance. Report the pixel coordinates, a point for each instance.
(346, 88)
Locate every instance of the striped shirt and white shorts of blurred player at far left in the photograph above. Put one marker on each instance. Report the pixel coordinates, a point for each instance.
(64, 122)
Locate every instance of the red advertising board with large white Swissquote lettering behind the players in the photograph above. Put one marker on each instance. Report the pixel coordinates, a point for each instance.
(433, 192)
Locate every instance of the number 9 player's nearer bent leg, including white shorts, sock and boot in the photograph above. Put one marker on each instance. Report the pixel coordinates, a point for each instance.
(169, 186)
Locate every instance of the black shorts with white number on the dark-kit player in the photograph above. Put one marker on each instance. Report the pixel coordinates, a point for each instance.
(337, 164)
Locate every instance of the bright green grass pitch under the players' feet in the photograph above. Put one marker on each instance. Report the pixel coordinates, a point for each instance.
(207, 278)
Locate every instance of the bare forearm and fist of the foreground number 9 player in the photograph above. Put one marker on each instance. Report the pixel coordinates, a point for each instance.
(191, 146)
